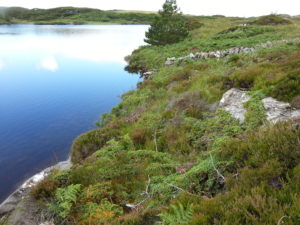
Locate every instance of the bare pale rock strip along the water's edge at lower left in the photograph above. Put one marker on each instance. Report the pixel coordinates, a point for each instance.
(11, 202)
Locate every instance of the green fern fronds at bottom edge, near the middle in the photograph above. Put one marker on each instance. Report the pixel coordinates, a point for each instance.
(177, 214)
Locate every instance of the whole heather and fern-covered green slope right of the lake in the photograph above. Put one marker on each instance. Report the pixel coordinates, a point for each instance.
(167, 155)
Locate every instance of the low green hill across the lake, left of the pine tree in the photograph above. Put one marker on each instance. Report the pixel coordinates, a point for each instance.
(72, 15)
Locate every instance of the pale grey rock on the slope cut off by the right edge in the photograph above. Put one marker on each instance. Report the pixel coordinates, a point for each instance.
(279, 111)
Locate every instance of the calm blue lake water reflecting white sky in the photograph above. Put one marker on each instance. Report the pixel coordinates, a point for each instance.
(55, 81)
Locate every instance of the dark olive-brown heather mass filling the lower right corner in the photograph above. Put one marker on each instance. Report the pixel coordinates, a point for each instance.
(260, 185)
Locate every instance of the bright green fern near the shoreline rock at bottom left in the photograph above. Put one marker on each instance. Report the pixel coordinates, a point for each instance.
(65, 198)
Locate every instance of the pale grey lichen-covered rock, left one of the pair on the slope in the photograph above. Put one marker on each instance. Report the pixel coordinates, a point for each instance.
(232, 101)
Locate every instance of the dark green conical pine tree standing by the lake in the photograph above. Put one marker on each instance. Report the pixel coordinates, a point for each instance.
(168, 27)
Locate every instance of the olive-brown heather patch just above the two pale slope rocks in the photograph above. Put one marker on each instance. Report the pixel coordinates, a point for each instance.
(279, 79)
